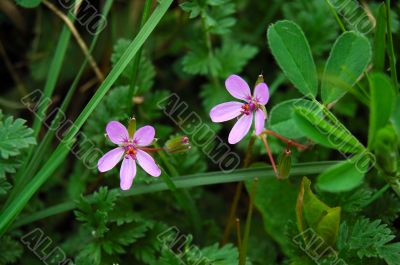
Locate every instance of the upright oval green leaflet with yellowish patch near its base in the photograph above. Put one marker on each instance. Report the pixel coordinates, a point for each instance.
(348, 59)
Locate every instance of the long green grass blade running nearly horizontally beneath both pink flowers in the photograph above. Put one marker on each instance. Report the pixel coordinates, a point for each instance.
(188, 181)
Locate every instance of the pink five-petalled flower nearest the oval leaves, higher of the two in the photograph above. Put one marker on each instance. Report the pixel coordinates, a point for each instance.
(239, 89)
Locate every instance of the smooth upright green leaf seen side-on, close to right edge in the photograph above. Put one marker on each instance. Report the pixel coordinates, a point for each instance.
(383, 100)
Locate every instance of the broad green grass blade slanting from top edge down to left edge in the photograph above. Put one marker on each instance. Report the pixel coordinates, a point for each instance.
(16, 206)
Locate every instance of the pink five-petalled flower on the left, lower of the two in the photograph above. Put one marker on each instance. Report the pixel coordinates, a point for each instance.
(130, 150)
